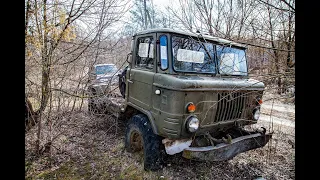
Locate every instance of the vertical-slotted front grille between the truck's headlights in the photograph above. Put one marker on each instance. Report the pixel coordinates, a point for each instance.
(230, 105)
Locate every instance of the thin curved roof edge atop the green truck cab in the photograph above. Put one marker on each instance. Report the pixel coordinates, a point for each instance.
(193, 34)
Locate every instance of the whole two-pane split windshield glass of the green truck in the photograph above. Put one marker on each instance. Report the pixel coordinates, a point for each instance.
(192, 55)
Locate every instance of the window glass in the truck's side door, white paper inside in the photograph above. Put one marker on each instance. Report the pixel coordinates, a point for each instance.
(145, 53)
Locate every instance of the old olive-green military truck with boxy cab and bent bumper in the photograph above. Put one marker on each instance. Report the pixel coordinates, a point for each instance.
(187, 93)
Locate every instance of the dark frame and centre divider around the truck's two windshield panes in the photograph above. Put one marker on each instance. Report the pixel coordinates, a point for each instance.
(215, 56)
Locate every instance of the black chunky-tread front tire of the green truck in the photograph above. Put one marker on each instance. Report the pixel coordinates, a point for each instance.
(153, 149)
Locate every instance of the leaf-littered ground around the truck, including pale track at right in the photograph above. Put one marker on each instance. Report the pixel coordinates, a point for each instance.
(91, 147)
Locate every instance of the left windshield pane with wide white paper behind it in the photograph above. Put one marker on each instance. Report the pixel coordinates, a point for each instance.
(191, 55)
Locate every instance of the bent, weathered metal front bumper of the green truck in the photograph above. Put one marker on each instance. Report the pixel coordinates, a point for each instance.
(223, 151)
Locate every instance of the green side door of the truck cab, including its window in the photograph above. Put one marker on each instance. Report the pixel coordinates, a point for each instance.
(142, 71)
